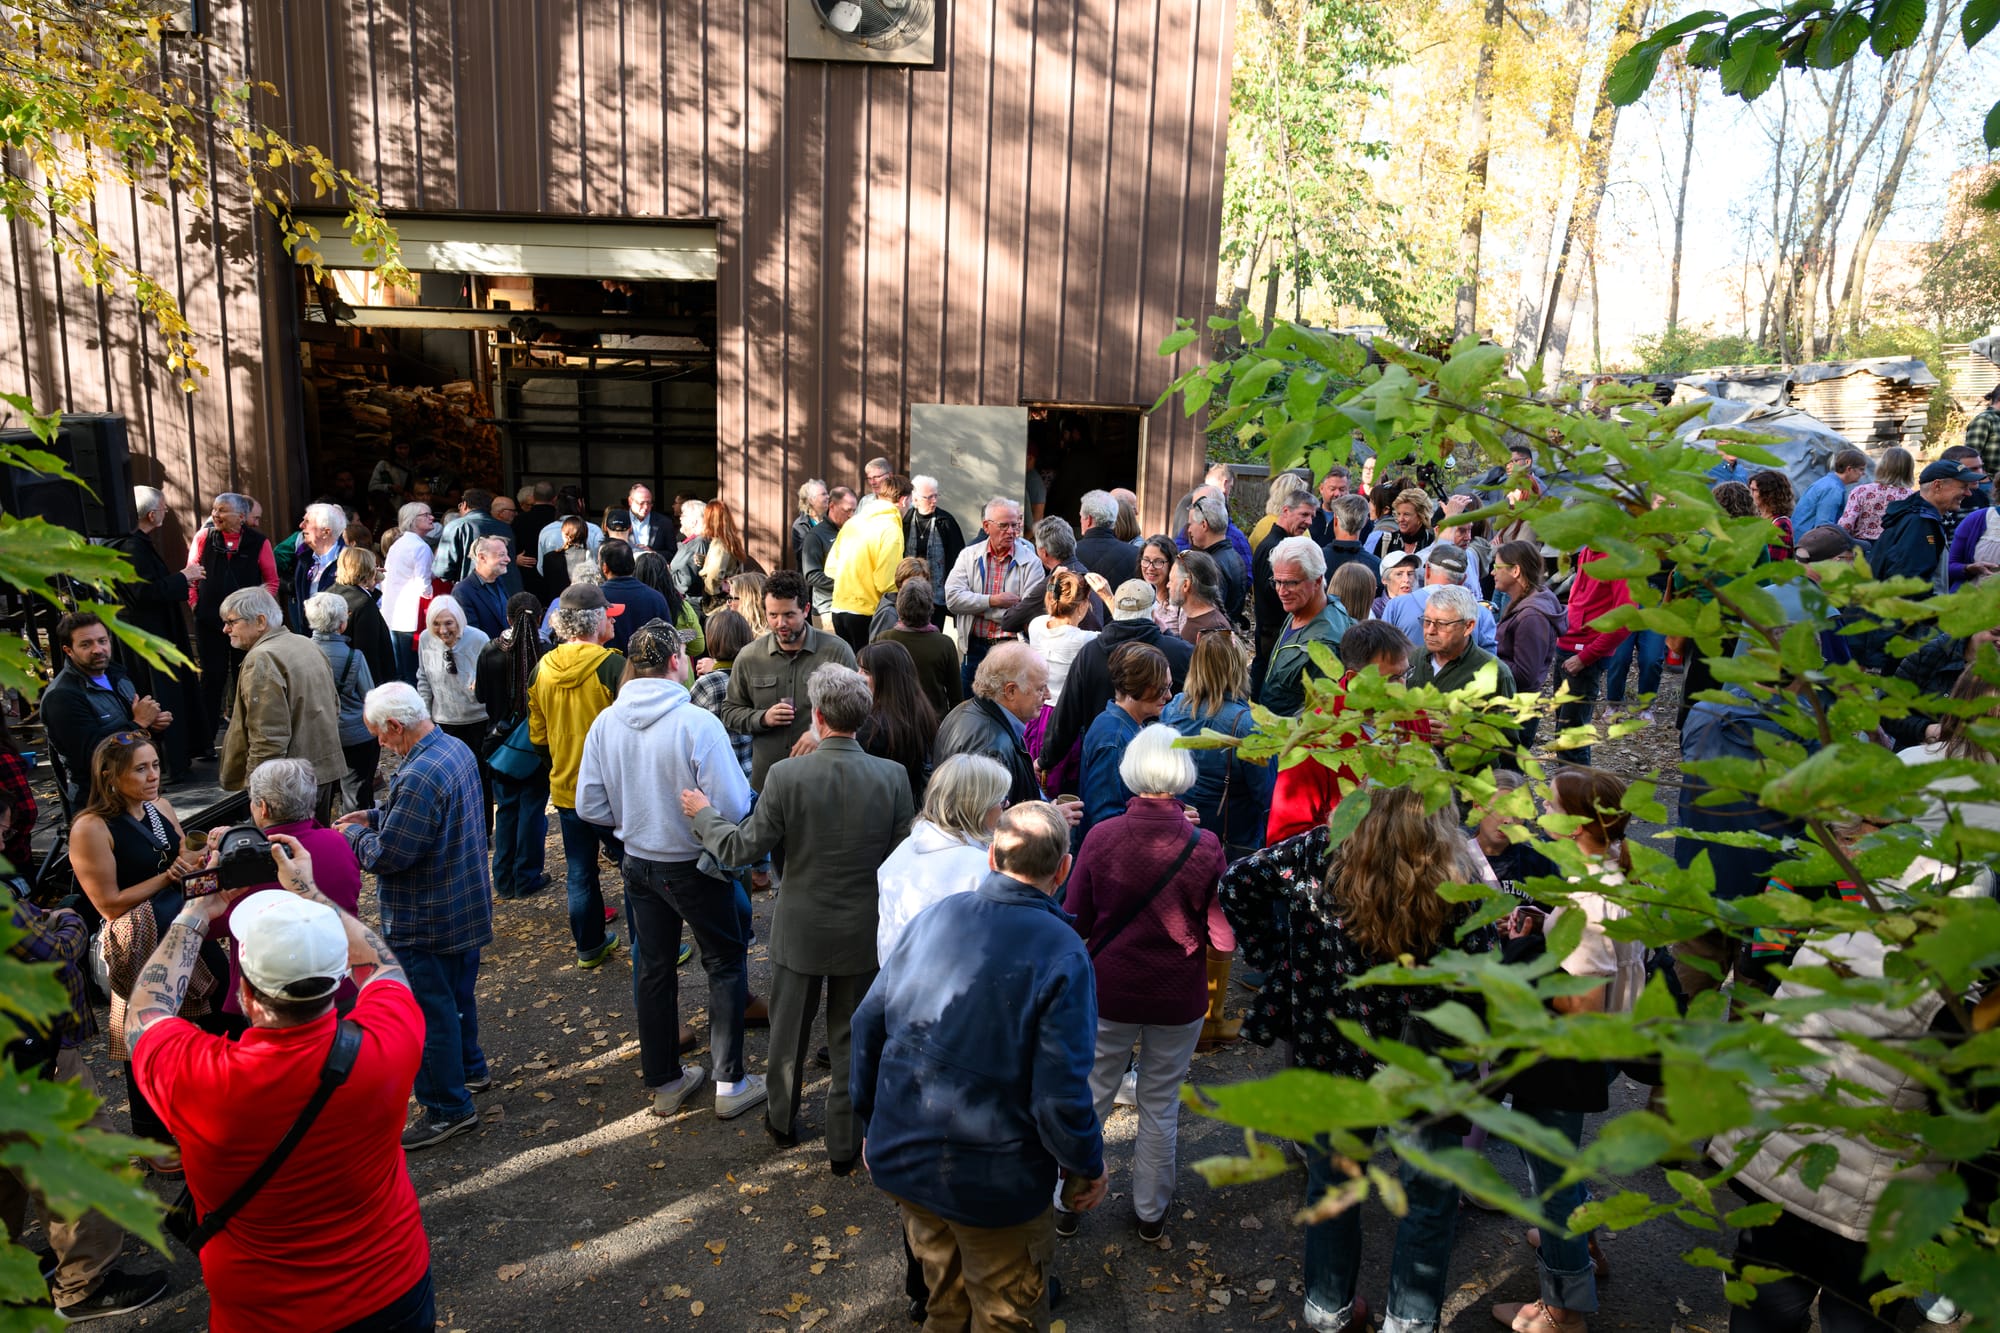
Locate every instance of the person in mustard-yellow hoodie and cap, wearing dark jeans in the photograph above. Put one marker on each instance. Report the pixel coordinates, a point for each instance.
(571, 688)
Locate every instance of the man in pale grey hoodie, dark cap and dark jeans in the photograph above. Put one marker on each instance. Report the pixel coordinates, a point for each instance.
(639, 758)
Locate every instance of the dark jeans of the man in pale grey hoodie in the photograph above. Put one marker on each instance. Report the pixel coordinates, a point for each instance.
(659, 900)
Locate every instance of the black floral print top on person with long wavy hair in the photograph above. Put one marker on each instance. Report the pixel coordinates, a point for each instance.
(1287, 932)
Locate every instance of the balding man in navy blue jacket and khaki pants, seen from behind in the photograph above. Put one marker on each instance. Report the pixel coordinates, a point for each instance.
(973, 1080)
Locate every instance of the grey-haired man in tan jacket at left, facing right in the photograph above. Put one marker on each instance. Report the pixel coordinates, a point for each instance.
(287, 704)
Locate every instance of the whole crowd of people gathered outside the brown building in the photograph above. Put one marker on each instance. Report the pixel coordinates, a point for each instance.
(955, 754)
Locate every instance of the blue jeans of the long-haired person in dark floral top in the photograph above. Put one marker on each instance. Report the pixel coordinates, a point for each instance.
(1417, 1272)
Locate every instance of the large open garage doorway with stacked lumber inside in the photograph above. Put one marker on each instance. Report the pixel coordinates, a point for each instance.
(597, 371)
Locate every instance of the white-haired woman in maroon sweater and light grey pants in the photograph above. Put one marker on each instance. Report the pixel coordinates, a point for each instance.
(1145, 902)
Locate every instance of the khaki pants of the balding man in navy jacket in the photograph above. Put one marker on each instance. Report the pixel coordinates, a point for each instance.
(983, 1280)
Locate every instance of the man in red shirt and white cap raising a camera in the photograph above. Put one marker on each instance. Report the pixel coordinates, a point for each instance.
(333, 1238)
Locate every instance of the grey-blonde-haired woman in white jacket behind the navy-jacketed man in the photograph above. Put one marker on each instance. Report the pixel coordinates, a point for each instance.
(947, 846)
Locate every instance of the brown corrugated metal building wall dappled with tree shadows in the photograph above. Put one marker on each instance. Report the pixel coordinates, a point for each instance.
(1015, 225)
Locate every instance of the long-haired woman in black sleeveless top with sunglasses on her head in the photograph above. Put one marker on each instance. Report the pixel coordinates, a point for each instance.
(129, 860)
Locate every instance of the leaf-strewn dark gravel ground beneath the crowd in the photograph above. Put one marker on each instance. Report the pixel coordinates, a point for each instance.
(575, 1208)
